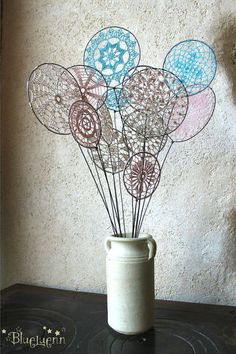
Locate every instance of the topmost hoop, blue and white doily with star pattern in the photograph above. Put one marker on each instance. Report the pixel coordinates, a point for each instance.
(113, 51)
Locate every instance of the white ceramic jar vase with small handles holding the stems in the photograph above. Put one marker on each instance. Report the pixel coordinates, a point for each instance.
(130, 283)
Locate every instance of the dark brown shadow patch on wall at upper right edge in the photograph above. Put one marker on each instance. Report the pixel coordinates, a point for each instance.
(225, 43)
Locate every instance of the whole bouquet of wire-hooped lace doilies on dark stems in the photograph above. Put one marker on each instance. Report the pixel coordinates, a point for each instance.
(125, 117)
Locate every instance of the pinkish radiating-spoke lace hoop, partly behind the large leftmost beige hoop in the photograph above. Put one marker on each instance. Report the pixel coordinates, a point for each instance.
(92, 84)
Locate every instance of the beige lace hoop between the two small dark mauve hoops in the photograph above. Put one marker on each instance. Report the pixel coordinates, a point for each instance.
(111, 156)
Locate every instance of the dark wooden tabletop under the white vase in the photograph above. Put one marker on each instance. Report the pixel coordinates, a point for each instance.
(76, 323)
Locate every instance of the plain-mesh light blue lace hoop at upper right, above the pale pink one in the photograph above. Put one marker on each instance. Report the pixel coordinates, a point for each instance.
(194, 63)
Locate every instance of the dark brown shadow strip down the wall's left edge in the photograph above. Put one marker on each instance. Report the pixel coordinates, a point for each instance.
(13, 66)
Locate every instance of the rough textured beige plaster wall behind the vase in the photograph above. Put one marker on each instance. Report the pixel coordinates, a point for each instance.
(54, 220)
